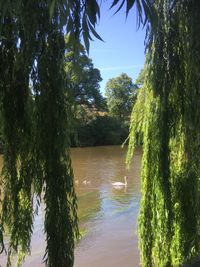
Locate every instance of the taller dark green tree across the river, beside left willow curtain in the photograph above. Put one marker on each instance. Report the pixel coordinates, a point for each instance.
(84, 79)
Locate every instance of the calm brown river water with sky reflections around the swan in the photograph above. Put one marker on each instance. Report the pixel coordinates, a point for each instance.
(108, 215)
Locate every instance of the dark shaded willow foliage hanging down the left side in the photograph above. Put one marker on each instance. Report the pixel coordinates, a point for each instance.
(36, 123)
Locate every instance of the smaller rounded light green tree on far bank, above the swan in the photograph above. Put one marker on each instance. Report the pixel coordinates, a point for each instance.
(120, 94)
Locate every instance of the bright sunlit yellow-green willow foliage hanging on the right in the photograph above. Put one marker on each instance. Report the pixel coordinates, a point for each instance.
(169, 122)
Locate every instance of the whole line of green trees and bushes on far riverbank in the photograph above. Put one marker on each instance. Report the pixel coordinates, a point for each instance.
(98, 120)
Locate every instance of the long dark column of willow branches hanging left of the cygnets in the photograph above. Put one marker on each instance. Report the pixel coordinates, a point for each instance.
(51, 103)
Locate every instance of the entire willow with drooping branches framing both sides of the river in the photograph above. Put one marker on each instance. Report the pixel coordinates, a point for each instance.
(36, 122)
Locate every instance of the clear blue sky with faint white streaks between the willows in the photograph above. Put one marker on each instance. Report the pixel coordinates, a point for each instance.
(123, 49)
